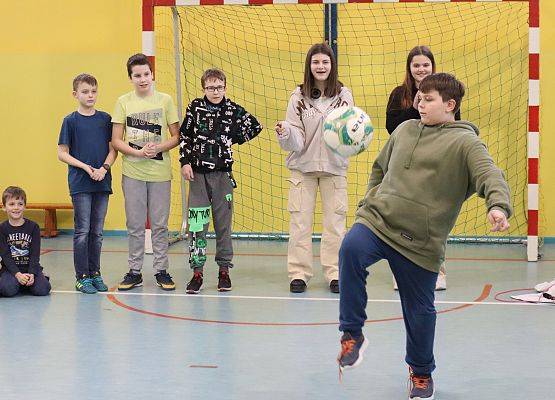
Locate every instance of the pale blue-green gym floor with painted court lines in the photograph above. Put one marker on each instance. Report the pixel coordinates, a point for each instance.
(262, 341)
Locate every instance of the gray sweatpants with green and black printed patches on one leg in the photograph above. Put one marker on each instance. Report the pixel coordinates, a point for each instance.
(210, 190)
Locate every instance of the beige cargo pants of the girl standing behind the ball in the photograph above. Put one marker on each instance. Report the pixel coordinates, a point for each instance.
(301, 205)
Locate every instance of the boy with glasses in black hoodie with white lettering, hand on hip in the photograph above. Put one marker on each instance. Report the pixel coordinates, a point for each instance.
(211, 125)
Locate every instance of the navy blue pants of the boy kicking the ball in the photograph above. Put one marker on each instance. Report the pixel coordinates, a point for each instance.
(360, 249)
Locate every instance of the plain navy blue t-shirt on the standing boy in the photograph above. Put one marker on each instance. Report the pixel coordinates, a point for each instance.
(87, 137)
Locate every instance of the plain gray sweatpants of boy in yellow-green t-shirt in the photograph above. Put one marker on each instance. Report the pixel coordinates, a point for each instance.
(142, 197)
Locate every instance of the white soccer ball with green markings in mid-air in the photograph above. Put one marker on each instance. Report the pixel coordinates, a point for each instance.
(348, 131)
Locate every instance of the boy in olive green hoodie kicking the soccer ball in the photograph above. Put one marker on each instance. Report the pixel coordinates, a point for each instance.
(419, 181)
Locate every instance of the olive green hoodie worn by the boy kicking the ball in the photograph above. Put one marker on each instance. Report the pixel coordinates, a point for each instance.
(419, 182)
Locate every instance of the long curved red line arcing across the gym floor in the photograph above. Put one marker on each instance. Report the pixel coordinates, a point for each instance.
(485, 293)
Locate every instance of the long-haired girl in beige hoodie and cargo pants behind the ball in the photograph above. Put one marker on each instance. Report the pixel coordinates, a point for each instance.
(314, 167)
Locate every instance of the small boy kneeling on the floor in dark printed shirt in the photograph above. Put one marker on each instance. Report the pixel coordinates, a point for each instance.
(20, 249)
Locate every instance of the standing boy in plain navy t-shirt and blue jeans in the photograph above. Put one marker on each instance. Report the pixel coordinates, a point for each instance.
(84, 145)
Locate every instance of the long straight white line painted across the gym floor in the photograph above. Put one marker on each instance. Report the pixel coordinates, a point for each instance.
(215, 296)
